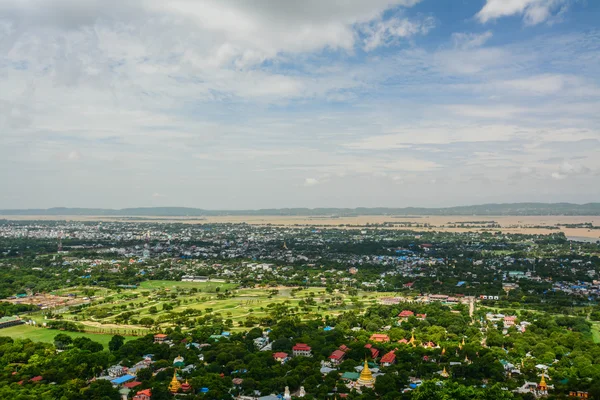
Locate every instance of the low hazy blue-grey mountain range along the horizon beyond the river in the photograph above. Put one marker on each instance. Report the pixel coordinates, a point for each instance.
(483, 209)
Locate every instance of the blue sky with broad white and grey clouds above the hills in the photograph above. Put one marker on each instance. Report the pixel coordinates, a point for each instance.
(235, 104)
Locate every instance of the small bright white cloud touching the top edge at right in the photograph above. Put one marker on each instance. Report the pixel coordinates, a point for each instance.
(533, 11)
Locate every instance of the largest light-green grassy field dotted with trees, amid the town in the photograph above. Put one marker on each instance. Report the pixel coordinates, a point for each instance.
(161, 299)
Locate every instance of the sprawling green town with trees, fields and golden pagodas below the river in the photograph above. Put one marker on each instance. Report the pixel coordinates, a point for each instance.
(215, 311)
